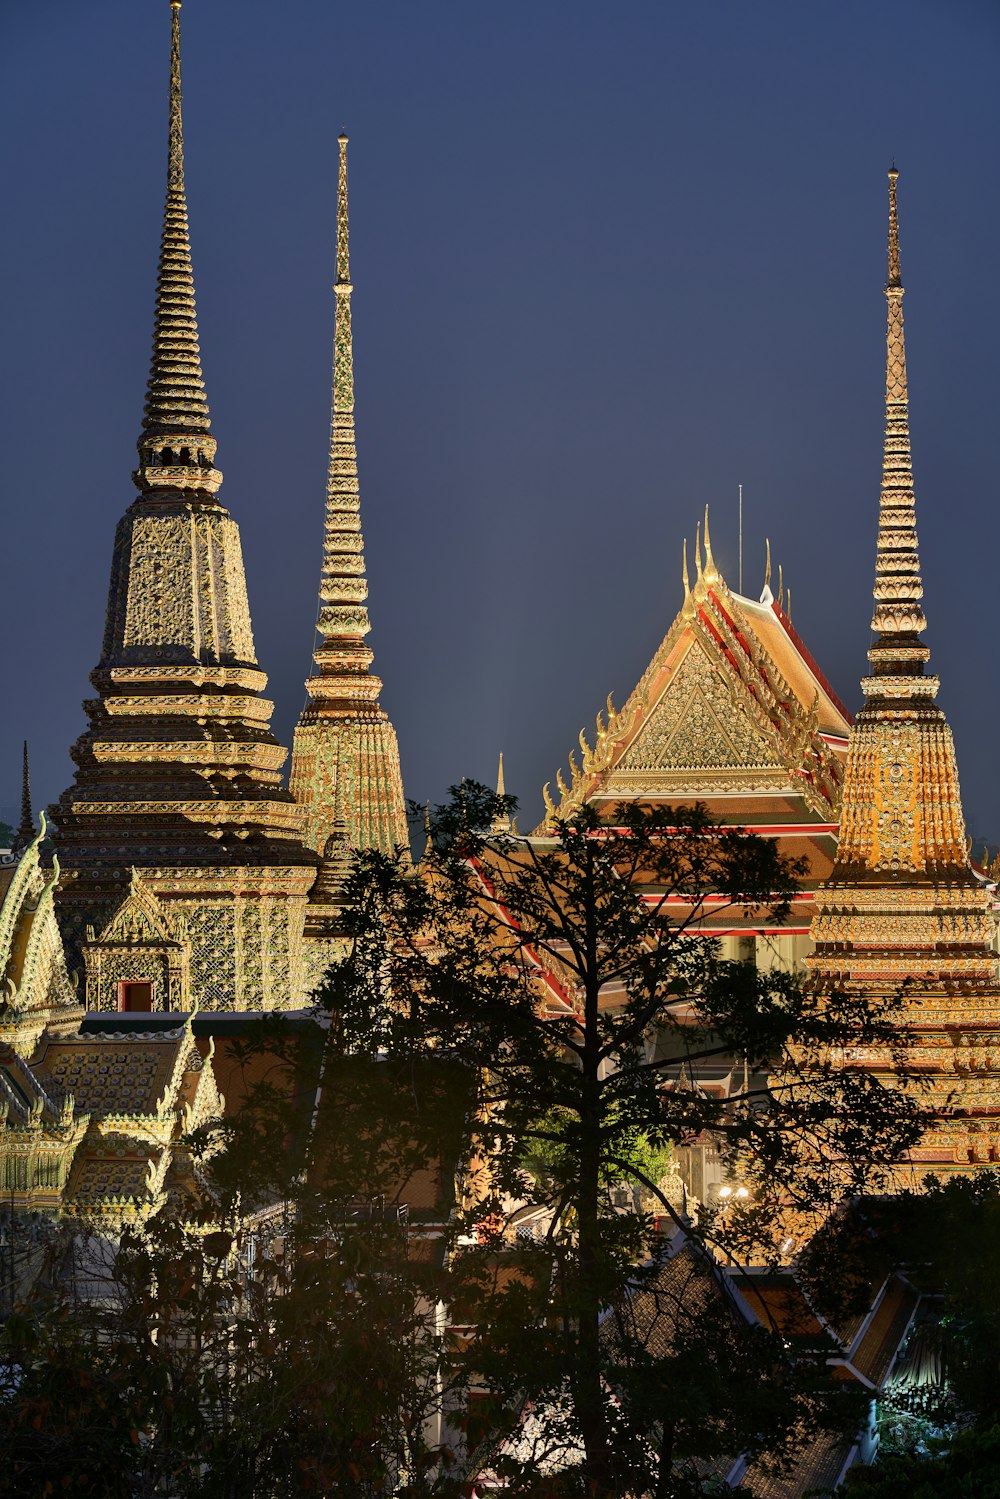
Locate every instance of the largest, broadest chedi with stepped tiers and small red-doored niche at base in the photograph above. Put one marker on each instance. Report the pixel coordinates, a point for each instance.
(185, 875)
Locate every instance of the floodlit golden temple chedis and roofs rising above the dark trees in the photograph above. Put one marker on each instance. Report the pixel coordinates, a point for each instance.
(190, 882)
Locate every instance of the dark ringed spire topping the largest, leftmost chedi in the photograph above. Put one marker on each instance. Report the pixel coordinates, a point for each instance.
(176, 446)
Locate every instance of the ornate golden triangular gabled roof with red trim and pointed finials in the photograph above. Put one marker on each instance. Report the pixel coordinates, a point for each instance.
(732, 704)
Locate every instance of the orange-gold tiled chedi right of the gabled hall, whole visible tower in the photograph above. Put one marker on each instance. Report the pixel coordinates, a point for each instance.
(903, 912)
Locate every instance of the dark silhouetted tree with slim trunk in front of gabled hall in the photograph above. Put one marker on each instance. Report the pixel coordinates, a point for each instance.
(549, 968)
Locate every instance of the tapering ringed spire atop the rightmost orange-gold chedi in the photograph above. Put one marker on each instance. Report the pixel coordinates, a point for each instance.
(899, 615)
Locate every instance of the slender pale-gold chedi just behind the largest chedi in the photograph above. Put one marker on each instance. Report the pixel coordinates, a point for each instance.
(346, 759)
